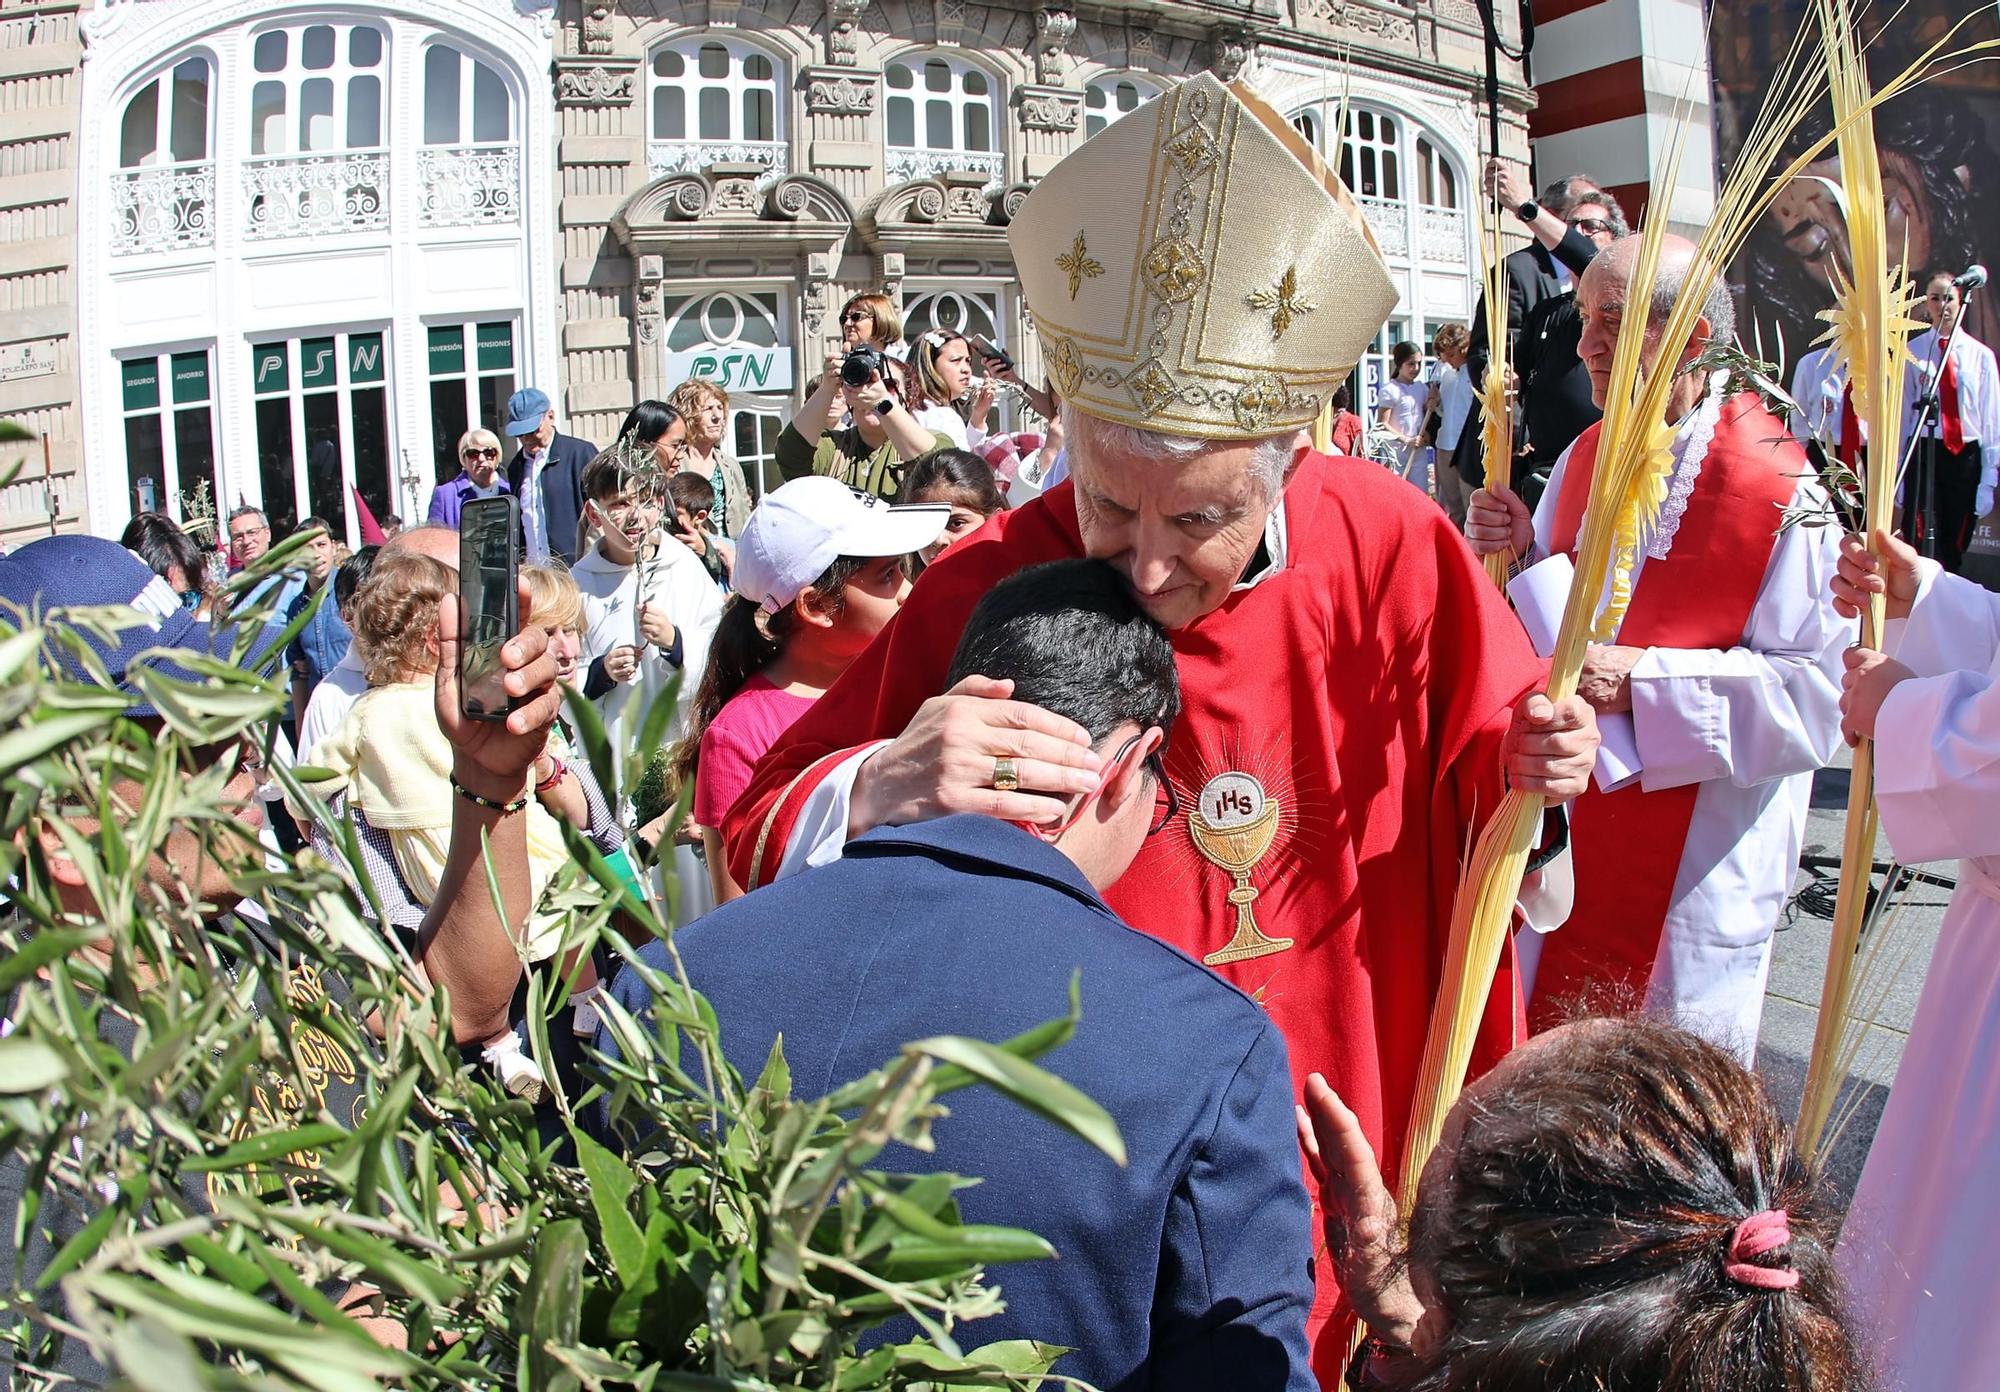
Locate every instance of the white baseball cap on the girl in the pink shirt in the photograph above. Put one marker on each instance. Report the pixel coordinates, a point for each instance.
(801, 529)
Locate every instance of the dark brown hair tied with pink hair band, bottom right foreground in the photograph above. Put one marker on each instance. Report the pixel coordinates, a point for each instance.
(1583, 1221)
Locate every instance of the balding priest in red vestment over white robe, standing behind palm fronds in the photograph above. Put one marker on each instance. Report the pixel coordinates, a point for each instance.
(1717, 697)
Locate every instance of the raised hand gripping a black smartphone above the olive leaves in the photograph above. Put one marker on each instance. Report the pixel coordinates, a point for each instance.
(493, 757)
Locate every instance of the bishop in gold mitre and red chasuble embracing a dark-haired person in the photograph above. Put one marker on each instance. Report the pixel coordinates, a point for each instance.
(1355, 689)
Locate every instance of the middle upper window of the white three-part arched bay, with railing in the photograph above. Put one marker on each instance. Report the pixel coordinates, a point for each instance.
(319, 137)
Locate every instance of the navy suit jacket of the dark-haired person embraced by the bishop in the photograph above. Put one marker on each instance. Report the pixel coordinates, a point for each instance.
(1187, 1269)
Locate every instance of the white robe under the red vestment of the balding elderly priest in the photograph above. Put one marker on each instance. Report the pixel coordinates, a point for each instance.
(1749, 725)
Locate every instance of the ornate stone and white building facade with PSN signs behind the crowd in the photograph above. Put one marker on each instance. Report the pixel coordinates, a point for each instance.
(305, 247)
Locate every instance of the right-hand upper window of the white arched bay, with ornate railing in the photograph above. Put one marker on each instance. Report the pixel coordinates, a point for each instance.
(469, 171)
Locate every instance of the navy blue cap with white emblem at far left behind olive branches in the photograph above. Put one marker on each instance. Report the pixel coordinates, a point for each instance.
(87, 571)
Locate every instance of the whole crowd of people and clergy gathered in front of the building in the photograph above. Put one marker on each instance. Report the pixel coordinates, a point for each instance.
(1163, 697)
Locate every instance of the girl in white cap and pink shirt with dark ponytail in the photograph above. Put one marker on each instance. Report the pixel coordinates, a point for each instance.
(819, 575)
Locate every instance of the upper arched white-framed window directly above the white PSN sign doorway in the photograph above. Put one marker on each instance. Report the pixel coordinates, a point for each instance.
(715, 101)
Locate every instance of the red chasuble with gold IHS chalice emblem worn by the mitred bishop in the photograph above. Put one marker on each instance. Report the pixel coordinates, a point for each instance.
(1337, 751)
